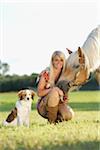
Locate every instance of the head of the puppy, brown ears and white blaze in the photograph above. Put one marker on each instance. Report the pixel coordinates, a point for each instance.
(26, 94)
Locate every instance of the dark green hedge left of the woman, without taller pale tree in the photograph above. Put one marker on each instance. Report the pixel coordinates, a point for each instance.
(16, 82)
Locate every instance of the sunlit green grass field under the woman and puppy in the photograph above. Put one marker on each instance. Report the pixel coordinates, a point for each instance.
(81, 133)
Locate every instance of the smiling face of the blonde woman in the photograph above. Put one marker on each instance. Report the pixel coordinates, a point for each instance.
(57, 62)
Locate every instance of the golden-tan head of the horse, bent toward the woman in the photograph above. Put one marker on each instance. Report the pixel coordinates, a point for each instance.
(76, 71)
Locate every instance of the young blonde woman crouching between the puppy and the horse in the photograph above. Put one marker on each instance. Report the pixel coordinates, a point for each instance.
(53, 102)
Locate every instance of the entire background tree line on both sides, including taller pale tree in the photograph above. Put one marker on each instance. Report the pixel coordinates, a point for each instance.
(16, 82)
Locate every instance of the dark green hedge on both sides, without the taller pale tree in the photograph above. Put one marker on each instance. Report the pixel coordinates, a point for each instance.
(16, 82)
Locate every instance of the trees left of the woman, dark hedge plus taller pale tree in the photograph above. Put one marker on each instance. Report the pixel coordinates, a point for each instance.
(15, 82)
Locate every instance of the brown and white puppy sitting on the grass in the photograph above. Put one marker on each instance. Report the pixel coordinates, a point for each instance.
(20, 114)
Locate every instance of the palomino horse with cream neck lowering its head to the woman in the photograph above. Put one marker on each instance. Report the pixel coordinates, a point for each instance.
(81, 63)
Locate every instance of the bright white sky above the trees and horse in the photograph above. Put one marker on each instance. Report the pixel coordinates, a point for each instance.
(31, 30)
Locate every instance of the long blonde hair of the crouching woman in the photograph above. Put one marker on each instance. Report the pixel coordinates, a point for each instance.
(62, 56)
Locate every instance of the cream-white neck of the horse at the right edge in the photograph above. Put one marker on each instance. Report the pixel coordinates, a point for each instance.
(91, 49)
